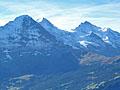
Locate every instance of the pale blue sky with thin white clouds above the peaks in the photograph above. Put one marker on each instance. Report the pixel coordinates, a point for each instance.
(65, 14)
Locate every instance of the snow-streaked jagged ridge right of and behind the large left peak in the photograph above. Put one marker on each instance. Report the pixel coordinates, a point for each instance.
(88, 36)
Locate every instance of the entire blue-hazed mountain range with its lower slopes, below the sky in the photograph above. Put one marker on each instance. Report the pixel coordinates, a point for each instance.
(39, 56)
